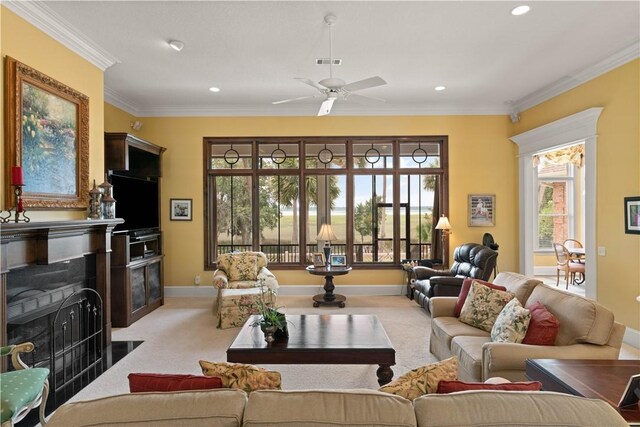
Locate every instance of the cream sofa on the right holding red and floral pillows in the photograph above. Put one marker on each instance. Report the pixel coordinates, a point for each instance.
(587, 331)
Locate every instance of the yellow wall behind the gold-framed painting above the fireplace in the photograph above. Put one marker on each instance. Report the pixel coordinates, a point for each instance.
(22, 41)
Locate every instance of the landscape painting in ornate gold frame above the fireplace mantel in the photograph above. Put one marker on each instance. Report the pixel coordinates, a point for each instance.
(47, 134)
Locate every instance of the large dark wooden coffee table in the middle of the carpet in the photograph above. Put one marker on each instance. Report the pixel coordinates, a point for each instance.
(347, 339)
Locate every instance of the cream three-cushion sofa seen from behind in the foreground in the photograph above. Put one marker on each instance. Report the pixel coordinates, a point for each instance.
(233, 408)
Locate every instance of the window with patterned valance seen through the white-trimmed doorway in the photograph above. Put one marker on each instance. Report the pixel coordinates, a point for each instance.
(555, 203)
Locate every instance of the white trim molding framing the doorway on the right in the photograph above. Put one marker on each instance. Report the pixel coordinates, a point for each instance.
(581, 126)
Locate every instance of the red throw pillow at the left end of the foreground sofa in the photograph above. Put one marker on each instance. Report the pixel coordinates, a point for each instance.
(139, 383)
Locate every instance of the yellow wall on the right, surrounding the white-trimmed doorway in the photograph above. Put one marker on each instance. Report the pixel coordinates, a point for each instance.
(618, 176)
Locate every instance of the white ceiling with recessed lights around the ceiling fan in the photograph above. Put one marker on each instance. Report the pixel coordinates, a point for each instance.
(490, 61)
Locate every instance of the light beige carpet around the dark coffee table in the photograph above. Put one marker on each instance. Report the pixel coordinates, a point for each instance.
(184, 331)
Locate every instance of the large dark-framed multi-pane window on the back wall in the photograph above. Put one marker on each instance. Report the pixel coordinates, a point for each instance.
(273, 194)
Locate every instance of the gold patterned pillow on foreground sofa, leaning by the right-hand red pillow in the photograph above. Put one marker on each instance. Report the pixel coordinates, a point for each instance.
(423, 380)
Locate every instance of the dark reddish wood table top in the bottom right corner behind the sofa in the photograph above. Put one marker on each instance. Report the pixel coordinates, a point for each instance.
(595, 379)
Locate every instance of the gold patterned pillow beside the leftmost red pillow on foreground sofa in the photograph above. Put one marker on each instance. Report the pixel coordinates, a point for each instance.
(244, 377)
